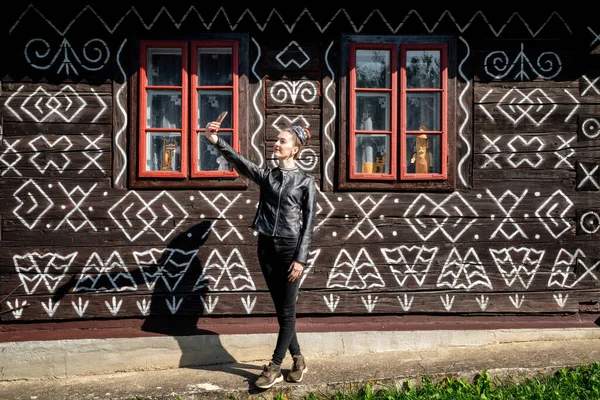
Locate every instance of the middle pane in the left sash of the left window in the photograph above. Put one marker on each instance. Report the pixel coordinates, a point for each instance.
(163, 109)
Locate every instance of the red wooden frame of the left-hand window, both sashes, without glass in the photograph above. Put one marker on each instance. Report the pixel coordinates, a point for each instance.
(189, 99)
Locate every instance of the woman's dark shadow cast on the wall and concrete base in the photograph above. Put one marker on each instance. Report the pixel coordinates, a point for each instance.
(180, 299)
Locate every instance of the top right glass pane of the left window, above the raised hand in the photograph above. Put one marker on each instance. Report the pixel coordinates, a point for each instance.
(215, 67)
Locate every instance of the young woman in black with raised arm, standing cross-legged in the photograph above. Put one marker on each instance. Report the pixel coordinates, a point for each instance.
(284, 220)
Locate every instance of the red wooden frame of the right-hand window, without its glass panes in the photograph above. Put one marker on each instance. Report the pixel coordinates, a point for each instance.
(398, 131)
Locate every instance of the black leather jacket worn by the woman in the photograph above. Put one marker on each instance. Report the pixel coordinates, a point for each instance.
(288, 202)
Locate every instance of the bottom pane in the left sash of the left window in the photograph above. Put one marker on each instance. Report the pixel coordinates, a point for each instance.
(163, 151)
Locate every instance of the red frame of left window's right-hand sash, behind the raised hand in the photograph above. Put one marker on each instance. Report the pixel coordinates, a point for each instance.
(194, 88)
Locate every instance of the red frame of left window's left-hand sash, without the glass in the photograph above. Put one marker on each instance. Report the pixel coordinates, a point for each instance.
(144, 87)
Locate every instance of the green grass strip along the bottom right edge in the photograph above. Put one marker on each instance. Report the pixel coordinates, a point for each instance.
(581, 383)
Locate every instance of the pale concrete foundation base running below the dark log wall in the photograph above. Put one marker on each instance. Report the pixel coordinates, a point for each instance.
(68, 358)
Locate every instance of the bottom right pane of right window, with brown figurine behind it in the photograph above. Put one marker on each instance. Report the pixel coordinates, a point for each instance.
(423, 154)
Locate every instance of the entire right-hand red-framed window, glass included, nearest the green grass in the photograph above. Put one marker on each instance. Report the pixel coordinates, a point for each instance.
(397, 127)
